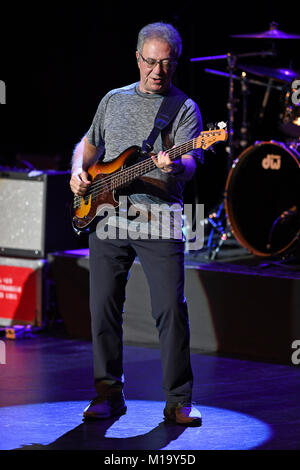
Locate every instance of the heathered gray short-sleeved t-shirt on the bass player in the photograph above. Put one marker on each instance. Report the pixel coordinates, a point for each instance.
(125, 117)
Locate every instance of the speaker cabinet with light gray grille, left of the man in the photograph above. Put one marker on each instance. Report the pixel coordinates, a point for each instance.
(34, 213)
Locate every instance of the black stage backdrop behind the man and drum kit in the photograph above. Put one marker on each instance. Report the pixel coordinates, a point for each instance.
(58, 60)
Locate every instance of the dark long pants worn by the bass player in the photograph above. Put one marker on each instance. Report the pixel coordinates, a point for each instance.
(163, 264)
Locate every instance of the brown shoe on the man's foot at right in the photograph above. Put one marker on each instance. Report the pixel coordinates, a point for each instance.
(183, 413)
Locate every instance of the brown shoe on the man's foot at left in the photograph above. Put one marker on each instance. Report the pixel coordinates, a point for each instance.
(109, 402)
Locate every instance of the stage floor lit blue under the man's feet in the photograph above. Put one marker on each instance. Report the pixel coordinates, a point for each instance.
(47, 381)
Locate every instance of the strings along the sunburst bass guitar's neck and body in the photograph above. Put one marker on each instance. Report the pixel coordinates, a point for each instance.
(113, 181)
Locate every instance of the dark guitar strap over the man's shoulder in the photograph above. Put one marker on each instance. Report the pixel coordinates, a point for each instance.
(166, 113)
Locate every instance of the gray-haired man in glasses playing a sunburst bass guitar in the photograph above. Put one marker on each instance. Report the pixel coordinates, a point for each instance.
(124, 118)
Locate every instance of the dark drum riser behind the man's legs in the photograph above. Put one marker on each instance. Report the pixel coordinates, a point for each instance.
(232, 313)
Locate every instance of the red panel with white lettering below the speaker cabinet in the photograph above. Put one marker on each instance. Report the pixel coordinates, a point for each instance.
(18, 294)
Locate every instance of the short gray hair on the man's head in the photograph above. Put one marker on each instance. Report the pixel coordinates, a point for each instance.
(163, 31)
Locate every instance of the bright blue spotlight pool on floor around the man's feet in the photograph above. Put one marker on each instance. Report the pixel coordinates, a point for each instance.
(59, 425)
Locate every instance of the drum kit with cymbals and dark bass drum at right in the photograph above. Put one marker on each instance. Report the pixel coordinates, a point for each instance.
(261, 202)
